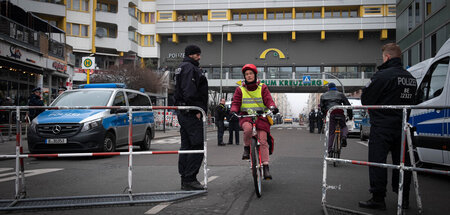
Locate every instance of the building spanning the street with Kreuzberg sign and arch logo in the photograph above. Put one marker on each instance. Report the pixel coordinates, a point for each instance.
(284, 39)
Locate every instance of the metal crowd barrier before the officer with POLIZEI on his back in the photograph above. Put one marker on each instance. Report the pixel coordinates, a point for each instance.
(406, 139)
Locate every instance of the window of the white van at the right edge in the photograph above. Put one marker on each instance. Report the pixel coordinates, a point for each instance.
(433, 83)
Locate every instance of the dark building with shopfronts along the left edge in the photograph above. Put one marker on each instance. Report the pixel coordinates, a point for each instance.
(33, 53)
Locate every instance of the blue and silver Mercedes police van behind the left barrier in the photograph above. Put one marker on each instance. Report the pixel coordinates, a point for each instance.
(76, 130)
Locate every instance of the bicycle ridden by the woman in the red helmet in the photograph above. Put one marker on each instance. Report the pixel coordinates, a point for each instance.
(255, 153)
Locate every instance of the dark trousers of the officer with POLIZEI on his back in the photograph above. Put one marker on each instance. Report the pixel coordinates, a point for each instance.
(381, 142)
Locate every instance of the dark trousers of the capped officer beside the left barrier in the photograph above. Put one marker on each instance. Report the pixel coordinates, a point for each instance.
(191, 139)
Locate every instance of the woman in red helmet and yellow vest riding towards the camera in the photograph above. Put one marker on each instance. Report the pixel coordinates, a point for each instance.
(253, 96)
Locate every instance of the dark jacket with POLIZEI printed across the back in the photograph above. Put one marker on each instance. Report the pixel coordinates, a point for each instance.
(391, 85)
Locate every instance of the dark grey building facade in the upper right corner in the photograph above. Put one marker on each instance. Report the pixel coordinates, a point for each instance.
(423, 26)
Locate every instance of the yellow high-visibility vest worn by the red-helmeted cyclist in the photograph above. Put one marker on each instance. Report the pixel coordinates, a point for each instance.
(252, 100)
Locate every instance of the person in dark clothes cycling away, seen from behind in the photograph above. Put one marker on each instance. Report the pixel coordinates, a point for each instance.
(329, 99)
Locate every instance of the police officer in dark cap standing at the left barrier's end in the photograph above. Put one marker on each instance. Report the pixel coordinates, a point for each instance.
(191, 89)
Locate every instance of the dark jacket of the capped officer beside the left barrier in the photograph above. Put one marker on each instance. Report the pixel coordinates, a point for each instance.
(191, 86)
